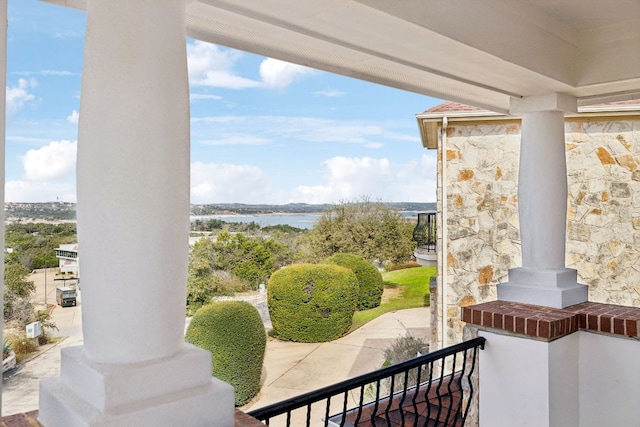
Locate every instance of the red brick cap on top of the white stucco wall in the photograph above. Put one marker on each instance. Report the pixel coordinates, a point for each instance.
(551, 323)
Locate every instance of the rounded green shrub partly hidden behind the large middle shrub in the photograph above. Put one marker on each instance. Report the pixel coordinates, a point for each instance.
(370, 281)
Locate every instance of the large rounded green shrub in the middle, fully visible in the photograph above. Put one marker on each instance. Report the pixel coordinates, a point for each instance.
(312, 302)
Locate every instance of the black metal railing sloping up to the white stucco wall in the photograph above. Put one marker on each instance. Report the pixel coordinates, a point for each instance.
(436, 389)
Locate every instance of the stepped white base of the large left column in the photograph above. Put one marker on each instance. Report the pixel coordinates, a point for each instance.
(176, 391)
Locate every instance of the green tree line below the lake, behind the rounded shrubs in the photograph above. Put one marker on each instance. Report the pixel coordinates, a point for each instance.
(234, 257)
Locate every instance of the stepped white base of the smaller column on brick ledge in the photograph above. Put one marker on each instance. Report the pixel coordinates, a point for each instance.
(549, 288)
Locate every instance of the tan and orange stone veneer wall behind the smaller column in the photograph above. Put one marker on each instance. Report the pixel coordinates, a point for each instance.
(603, 232)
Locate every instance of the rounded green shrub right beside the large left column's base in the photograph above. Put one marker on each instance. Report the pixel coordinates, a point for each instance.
(234, 334)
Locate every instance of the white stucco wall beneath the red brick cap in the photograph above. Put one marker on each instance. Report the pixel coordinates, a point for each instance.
(583, 379)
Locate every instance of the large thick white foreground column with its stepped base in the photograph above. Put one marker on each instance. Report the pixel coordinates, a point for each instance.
(133, 223)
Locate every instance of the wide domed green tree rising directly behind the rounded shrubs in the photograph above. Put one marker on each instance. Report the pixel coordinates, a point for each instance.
(371, 230)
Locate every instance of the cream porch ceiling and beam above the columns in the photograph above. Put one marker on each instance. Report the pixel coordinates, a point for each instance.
(477, 52)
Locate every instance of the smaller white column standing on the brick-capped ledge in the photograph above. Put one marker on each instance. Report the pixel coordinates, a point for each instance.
(542, 207)
